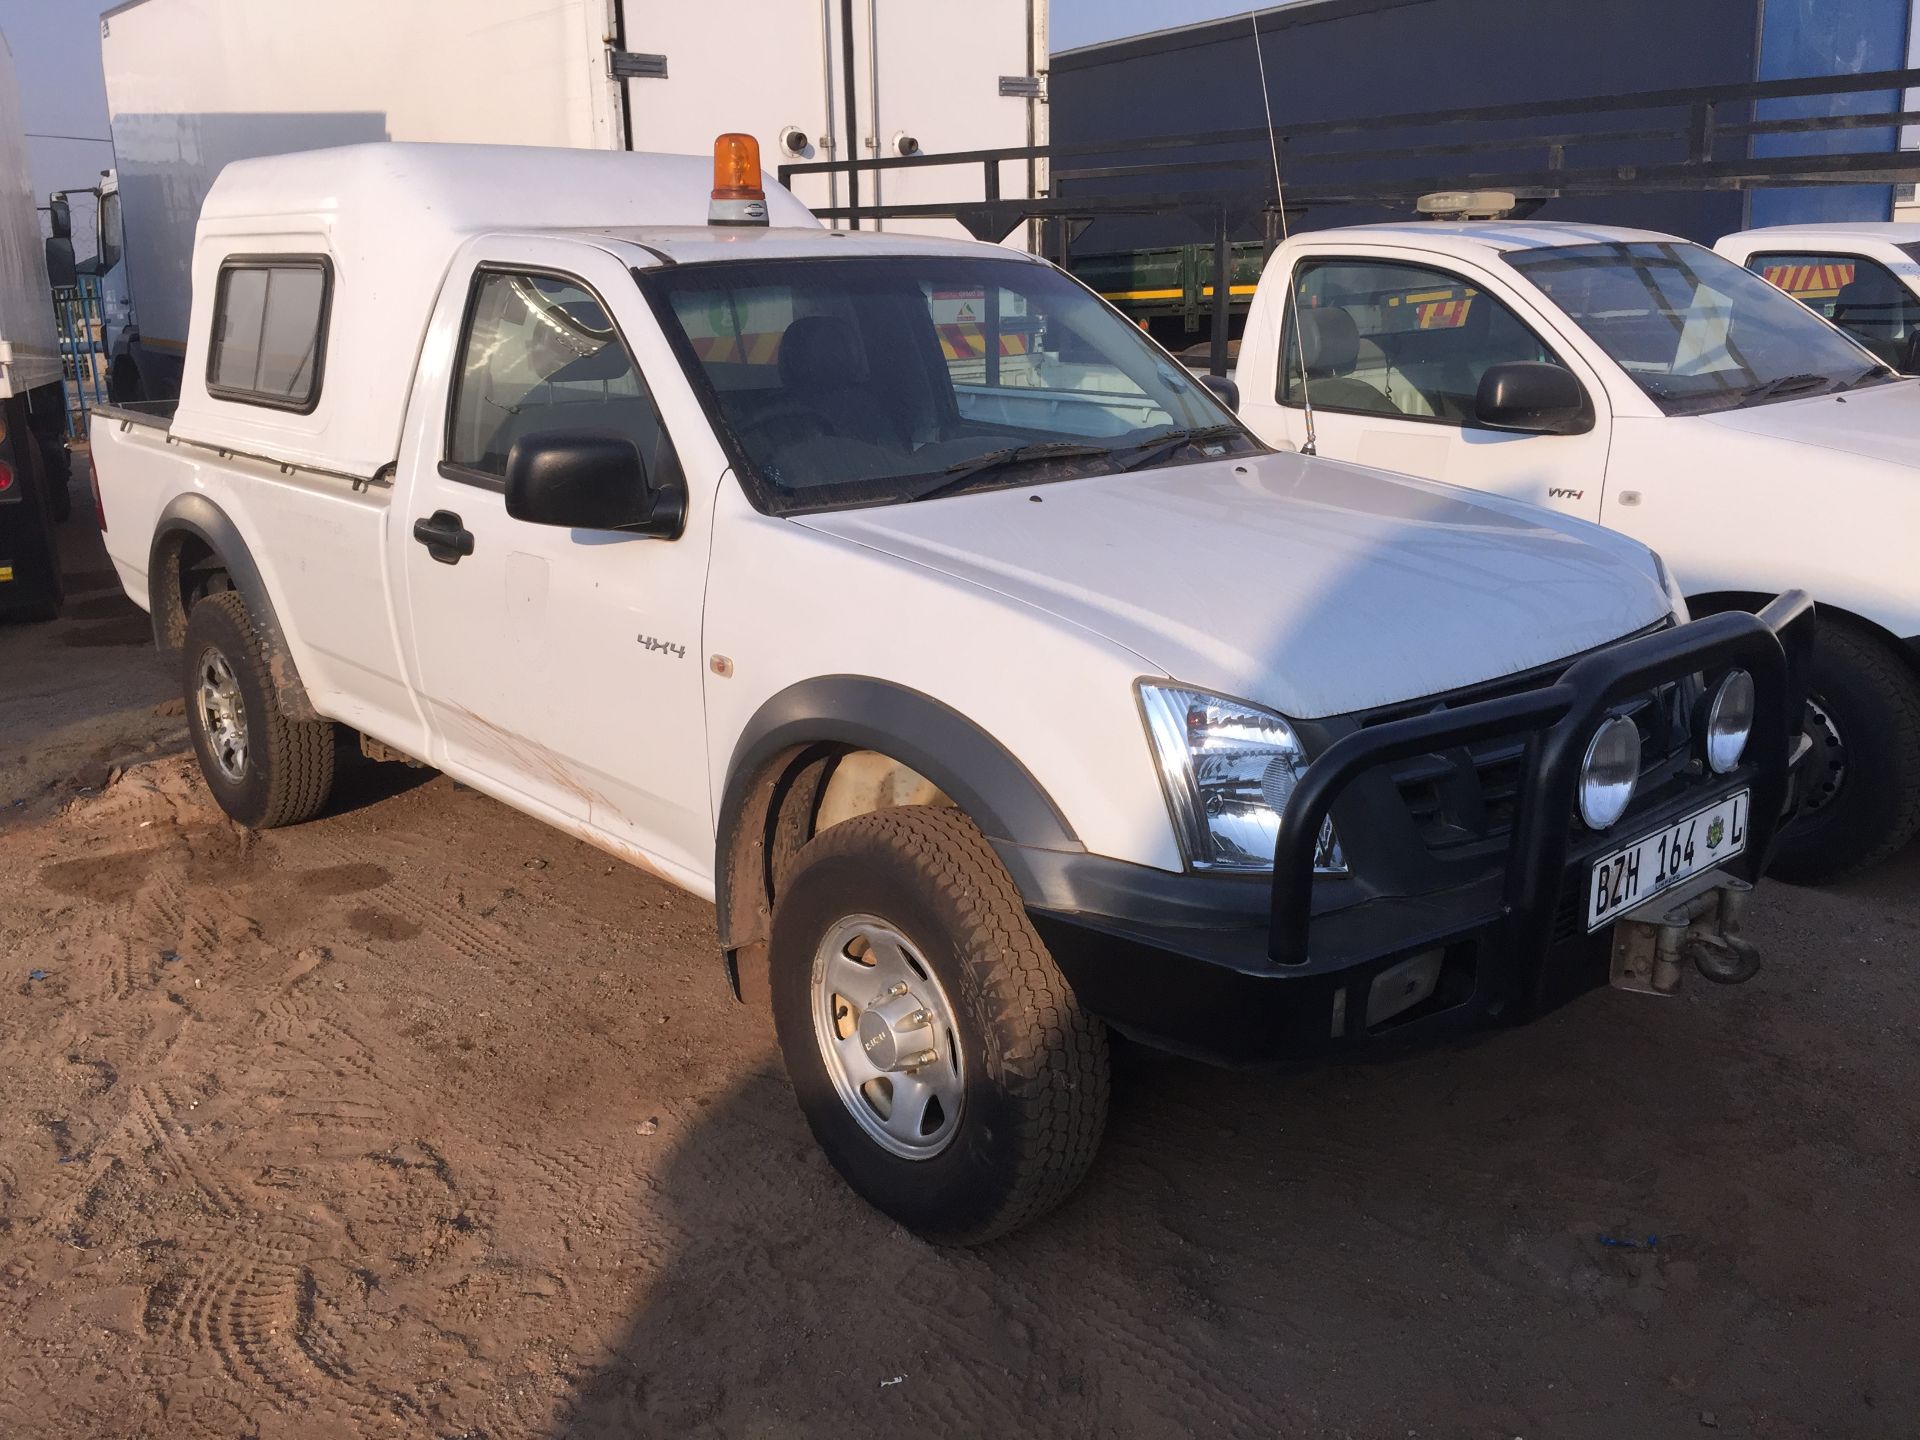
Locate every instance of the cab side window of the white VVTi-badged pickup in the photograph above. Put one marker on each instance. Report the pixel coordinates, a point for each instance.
(1397, 341)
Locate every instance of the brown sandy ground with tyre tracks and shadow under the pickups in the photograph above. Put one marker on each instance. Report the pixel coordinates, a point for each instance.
(423, 1120)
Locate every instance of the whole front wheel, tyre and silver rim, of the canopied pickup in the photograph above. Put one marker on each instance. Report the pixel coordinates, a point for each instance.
(936, 1051)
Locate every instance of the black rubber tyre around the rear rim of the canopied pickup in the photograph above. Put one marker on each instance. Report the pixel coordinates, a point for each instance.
(289, 769)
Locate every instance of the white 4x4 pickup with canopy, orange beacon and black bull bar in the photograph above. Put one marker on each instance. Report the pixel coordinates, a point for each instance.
(915, 608)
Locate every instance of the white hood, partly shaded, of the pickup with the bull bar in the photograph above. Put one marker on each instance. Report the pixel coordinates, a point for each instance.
(1305, 585)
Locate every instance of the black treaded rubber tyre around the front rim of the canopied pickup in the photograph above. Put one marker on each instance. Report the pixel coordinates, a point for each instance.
(1036, 1065)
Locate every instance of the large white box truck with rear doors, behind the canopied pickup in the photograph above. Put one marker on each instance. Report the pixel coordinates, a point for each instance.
(199, 84)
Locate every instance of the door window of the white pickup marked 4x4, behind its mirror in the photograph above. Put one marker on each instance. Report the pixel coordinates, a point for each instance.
(540, 354)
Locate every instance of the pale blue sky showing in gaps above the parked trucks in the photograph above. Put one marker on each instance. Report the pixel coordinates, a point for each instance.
(57, 55)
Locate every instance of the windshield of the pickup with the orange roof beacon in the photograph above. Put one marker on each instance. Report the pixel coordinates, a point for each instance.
(898, 377)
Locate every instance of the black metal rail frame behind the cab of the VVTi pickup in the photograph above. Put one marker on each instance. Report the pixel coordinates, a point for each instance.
(1692, 139)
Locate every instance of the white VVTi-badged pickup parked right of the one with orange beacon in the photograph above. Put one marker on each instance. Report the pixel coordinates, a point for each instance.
(1652, 387)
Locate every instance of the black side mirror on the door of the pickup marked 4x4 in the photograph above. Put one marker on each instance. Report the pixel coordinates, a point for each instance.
(590, 481)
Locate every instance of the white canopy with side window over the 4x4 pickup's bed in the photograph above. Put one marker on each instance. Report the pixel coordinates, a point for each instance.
(370, 233)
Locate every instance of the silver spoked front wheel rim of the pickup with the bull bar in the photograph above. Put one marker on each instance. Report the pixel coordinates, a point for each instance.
(888, 1038)
